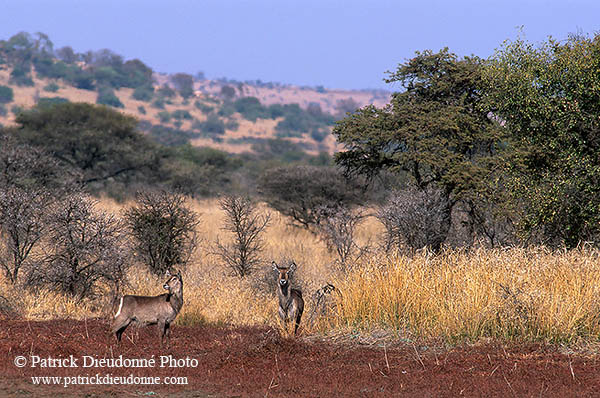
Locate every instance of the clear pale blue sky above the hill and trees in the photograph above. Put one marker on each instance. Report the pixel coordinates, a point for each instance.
(334, 43)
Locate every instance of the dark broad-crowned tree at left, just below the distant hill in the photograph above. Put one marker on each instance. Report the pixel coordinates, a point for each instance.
(98, 142)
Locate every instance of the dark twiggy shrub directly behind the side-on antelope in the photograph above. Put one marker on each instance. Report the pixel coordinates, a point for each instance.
(163, 229)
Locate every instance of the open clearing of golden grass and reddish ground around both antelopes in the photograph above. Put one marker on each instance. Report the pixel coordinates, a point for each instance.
(482, 322)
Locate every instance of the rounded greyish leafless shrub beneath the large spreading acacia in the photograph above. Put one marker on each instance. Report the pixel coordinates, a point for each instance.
(415, 219)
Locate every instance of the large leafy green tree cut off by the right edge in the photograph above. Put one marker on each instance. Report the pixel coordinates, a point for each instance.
(548, 98)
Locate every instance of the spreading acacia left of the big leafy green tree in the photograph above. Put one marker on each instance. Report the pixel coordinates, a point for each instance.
(432, 130)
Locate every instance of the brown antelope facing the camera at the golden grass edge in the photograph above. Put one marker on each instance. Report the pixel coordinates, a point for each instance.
(291, 303)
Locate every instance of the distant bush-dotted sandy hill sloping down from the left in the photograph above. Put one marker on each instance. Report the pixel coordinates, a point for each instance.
(232, 116)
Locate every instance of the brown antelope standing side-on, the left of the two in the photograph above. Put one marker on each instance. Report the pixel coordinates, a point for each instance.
(149, 310)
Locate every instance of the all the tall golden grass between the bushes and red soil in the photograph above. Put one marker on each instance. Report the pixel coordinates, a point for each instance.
(529, 294)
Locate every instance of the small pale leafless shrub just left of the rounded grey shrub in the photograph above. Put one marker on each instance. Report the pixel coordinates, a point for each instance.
(338, 231)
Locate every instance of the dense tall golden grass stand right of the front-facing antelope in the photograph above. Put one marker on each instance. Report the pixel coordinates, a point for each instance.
(520, 294)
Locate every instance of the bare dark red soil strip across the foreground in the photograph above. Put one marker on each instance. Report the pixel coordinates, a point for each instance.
(257, 362)
